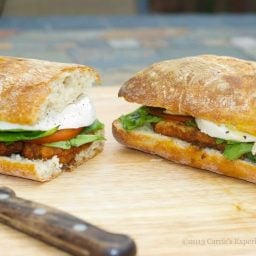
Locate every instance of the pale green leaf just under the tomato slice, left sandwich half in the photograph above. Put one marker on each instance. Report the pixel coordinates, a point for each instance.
(79, 140)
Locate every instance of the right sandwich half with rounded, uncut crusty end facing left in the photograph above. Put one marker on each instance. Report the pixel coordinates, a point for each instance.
(198, 111)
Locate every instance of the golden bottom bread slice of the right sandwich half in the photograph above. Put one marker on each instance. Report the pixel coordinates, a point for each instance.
(183, 152)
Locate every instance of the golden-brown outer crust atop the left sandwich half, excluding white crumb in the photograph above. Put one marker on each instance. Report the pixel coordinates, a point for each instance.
(24, 86)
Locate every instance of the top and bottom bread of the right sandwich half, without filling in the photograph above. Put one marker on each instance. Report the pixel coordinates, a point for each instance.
(219, 89)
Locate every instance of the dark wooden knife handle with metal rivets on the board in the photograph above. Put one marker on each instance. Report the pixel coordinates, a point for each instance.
(61, 229)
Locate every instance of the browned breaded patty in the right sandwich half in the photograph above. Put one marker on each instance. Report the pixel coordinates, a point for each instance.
(187, 133)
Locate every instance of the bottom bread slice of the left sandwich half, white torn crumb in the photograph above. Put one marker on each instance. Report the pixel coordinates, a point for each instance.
(44, 170)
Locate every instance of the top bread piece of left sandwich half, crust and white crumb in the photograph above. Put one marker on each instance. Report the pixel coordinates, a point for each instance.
(29, 87)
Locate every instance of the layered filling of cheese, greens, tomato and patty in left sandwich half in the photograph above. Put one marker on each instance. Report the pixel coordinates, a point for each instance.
(62, 134)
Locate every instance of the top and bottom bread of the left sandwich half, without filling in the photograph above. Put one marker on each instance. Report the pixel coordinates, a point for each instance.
(31, 89)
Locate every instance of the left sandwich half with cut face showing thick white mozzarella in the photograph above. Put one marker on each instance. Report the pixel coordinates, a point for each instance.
(47, 120)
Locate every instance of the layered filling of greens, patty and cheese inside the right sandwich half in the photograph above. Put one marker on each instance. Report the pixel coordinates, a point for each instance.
(231, 143)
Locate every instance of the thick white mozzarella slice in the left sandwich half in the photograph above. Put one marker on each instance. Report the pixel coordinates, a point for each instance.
(78, 114)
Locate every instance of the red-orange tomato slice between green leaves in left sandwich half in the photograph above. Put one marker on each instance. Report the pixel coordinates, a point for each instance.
(60, 135)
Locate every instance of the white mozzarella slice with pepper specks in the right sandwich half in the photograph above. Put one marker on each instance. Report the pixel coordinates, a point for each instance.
(223, 132)
